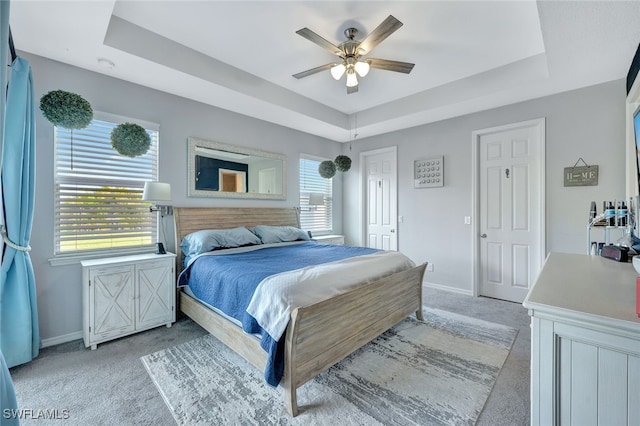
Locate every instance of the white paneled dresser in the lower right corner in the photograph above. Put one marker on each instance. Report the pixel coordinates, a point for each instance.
(585, 343)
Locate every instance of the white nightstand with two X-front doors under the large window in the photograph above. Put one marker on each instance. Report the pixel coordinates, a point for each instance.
(127, 294)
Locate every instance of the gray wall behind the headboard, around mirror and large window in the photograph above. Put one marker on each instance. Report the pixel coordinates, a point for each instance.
(59, 288)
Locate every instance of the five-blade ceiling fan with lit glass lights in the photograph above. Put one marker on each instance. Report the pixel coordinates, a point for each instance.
(351, 52)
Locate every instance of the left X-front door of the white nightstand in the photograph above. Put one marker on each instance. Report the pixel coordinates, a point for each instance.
(111, 301)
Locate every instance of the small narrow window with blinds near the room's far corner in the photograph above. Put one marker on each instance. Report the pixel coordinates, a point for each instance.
(317, 218)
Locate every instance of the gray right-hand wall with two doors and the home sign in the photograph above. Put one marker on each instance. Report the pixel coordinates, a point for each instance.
(587, 123)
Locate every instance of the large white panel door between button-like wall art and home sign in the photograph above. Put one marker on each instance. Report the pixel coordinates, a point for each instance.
(510, 225)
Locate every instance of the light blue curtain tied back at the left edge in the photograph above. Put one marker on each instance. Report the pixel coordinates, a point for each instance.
(19, 334)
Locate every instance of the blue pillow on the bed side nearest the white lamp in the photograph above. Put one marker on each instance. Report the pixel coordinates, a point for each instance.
(211, 239)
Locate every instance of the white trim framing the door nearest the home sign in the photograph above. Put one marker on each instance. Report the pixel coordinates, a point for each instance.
(540, 123)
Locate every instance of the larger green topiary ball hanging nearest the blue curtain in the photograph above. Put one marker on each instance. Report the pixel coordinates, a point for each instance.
(65, 109)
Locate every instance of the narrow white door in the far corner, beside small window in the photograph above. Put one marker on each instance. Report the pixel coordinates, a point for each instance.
(381, 199)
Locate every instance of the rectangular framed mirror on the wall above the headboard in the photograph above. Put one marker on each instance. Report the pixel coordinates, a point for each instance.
(228, 171)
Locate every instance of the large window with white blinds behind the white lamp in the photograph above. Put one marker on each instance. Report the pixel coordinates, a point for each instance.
(98, 192)
